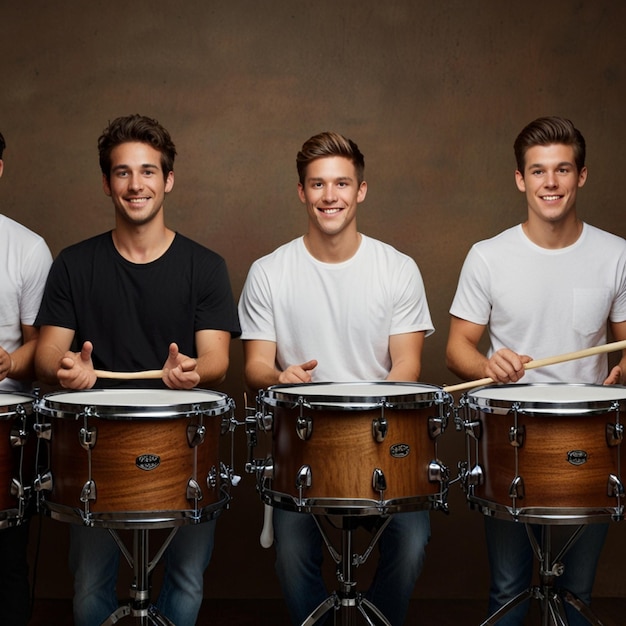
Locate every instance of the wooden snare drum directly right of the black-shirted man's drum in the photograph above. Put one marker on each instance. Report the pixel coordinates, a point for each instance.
(354, 448)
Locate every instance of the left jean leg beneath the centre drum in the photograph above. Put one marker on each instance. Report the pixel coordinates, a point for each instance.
(298, 544)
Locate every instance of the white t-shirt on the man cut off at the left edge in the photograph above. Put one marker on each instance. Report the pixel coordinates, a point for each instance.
(25, 260)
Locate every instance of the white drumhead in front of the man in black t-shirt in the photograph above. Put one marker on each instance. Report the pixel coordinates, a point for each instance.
(135, 397)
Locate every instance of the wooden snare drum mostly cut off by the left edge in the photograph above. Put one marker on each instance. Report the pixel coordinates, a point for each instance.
(16, 456)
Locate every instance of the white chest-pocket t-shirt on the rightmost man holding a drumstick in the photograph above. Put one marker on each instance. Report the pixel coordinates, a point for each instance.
(544, 302)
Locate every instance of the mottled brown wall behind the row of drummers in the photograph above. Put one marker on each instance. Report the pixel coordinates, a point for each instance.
(433, 92)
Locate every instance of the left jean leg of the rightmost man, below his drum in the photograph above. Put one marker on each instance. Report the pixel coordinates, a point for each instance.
(511, 566)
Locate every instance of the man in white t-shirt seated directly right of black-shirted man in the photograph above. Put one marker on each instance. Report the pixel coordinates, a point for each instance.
(336, 306)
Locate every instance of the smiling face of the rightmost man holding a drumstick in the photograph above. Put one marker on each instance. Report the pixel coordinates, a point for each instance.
(550, 181)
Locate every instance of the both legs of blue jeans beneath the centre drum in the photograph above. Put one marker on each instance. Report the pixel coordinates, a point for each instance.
(299, 553)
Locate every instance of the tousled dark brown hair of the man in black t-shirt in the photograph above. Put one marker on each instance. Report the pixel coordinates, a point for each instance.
(136, 128)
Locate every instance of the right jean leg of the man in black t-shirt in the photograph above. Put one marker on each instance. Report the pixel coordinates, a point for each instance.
(185, 560)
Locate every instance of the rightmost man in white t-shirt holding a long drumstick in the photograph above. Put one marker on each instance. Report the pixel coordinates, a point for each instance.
(545, 287)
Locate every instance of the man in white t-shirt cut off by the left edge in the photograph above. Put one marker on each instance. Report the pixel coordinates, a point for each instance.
(25, 260)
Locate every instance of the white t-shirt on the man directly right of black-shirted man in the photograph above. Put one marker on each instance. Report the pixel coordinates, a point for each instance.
(340, 314)
